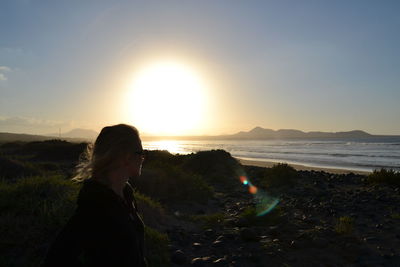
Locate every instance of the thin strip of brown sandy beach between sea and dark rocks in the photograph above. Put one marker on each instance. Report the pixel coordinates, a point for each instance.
(299, 167)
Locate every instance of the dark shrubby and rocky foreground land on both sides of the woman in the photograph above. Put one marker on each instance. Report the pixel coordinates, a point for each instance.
(199, 213)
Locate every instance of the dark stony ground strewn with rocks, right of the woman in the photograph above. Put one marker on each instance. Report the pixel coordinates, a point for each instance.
(305, 228)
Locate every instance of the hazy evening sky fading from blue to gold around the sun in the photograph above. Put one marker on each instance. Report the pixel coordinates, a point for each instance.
(307, 65)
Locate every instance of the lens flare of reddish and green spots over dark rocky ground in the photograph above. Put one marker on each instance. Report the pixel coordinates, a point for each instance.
(264, 202)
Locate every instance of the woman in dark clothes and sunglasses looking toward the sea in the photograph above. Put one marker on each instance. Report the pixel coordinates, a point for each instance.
(106, 229)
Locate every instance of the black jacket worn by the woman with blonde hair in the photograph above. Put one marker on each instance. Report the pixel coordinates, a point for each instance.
(105, 230)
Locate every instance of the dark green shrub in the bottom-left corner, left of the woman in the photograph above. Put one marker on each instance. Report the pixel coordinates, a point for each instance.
(33, 210)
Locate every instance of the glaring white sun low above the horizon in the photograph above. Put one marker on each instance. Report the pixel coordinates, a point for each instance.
(166, 98)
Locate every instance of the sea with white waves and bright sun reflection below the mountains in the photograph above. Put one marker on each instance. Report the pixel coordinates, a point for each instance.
(365, 154)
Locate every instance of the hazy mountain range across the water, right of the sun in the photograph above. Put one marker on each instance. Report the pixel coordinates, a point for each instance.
(261, 133)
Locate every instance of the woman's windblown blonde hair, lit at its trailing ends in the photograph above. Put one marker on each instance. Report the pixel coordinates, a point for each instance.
(112, 143)
